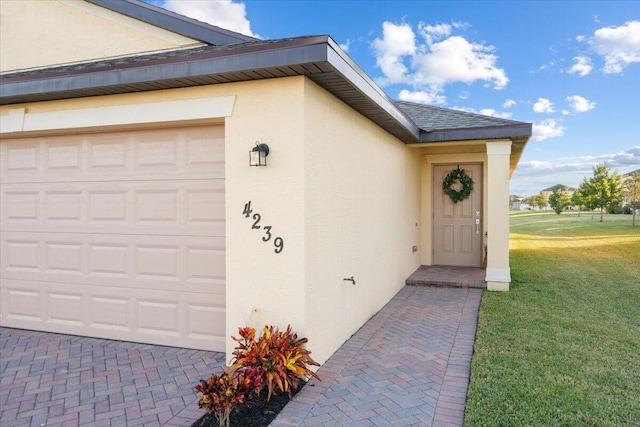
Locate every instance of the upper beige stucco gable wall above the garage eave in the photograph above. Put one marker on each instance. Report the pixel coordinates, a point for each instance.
(31, 35)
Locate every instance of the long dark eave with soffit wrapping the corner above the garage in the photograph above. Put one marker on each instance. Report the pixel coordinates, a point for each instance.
(318, 58)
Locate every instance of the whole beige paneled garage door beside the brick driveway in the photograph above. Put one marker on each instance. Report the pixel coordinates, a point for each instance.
(116, 235)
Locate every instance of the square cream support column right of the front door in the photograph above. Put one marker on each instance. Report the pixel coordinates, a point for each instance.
(498, 272)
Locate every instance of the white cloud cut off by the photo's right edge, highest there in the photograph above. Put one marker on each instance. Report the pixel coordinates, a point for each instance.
(620, 46)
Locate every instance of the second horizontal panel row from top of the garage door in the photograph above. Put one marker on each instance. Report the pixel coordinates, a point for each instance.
(185, 207)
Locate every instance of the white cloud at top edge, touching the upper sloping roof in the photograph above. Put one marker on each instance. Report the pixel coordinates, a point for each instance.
(222, 13)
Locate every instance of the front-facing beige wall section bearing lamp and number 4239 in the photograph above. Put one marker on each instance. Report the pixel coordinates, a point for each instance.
(265, 287)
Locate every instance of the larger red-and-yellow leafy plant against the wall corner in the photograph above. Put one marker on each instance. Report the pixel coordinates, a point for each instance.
(279, 358)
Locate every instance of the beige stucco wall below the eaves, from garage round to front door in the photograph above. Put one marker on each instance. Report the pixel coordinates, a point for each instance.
(346, 198)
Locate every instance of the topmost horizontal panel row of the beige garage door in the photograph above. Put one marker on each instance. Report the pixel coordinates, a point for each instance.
(191, 153)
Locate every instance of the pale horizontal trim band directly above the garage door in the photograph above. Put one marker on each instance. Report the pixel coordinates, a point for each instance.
(20, 120)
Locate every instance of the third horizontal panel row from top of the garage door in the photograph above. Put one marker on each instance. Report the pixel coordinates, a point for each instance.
(142, 262)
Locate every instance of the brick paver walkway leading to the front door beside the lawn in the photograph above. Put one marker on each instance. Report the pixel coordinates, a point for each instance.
(407, 366)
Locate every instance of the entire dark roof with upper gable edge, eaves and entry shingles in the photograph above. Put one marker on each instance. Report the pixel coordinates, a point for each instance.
(233, 57)
